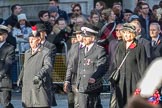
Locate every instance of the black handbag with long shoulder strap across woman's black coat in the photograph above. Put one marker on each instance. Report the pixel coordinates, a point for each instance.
(115, 75)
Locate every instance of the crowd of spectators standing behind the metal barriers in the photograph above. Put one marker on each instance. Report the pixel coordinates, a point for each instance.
(60, 24)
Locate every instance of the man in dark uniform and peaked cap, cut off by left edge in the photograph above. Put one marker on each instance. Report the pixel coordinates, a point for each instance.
(7, 56)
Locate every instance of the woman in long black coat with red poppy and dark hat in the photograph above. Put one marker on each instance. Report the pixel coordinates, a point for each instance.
(132, 69)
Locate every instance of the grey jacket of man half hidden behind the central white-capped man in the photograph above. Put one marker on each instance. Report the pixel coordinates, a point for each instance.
(72, 64)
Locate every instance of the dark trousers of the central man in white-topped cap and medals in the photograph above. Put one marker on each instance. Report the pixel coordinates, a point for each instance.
(89, 100)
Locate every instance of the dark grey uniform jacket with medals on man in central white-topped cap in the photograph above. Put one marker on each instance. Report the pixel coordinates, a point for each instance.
(91, 65)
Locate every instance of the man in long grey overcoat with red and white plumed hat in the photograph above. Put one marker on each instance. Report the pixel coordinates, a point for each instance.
(36, 74)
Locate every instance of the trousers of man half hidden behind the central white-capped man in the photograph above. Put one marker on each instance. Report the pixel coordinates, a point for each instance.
(73, 98)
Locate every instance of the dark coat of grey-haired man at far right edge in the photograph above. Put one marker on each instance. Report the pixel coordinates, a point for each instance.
(157, 49)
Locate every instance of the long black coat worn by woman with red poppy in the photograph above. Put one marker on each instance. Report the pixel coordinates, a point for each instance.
(131, 71)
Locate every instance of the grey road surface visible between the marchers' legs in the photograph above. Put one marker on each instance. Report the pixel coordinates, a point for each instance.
(60, 98)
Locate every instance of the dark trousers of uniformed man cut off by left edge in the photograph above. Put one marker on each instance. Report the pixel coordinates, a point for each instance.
(5, 98)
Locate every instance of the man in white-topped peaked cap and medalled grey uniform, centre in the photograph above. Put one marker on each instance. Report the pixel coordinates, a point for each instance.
(91, 68)
